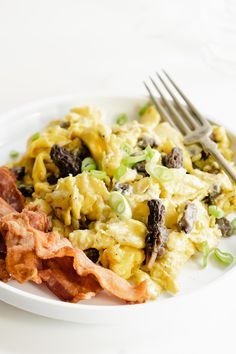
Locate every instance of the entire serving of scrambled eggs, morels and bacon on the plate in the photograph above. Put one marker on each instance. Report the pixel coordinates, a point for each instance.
(91, 207)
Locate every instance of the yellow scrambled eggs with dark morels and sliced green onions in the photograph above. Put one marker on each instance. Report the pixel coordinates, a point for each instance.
(132, 196)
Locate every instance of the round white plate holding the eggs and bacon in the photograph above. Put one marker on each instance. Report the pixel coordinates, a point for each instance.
(16, 126)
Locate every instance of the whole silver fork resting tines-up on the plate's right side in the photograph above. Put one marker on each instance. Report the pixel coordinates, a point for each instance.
(187, 119)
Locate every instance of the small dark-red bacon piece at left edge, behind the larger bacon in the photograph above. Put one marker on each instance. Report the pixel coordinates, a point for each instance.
(9, 191)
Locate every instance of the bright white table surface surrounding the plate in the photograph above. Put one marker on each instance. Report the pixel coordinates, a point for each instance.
(70, 46)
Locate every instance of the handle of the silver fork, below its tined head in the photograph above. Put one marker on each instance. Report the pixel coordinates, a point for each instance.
(211, 147)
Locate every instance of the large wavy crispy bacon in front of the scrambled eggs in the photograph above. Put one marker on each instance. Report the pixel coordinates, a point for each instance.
(38, 256)
